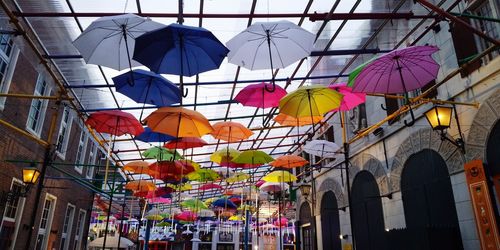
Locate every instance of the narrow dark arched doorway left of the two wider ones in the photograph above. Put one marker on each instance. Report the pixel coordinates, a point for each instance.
(330, 224)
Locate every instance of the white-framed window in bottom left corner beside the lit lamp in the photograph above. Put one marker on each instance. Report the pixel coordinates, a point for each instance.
(11, 218)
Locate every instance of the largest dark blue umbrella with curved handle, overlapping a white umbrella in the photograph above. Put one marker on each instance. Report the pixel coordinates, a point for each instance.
(195, 50)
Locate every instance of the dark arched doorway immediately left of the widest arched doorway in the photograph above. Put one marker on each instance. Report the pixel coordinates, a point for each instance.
(368, 217)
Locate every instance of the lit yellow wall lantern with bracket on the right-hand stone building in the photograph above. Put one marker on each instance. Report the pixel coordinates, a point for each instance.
(439, 118)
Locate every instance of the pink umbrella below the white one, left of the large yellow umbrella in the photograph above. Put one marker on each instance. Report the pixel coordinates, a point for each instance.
(255, 95)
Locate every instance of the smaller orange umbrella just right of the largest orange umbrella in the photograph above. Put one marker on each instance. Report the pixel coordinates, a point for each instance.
(230, 131)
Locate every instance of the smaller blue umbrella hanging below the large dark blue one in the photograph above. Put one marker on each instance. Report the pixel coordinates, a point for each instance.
(147, 87)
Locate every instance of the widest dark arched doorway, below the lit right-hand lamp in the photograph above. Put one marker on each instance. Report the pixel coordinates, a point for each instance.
(429, 206)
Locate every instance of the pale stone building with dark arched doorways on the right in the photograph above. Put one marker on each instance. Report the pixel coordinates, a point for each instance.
(407, 184)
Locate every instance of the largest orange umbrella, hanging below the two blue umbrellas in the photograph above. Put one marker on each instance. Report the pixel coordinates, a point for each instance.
(178, 122)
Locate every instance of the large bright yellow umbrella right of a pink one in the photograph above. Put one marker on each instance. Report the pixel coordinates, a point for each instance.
(313, 100)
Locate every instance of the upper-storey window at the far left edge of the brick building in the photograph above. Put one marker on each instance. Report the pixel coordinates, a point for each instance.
(8, 59)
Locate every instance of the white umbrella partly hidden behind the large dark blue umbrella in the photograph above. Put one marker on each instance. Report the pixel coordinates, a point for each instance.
(109, 41)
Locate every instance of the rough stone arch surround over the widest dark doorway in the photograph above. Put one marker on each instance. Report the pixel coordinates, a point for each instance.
(418, 141)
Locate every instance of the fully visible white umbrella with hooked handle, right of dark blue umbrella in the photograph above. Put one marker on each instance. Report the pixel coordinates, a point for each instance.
(286, 44)
